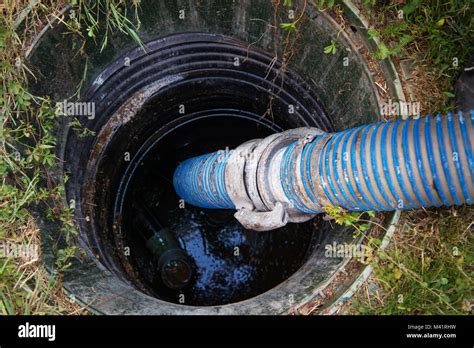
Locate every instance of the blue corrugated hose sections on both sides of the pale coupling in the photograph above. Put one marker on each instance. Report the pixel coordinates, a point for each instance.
(402, 164)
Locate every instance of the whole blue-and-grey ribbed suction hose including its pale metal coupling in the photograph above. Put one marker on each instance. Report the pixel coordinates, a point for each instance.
(293, 175)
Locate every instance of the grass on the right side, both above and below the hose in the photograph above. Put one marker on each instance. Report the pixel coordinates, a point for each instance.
(427, 268)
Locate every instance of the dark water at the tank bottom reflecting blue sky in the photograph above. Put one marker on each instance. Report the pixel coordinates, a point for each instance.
(229, 263)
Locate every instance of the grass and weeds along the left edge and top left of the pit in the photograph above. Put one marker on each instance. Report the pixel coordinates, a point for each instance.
(27, 154)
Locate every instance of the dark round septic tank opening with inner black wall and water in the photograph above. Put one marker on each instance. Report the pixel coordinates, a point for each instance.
(176, 249)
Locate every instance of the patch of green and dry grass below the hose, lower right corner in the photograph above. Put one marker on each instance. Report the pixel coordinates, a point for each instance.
(427, 269)
